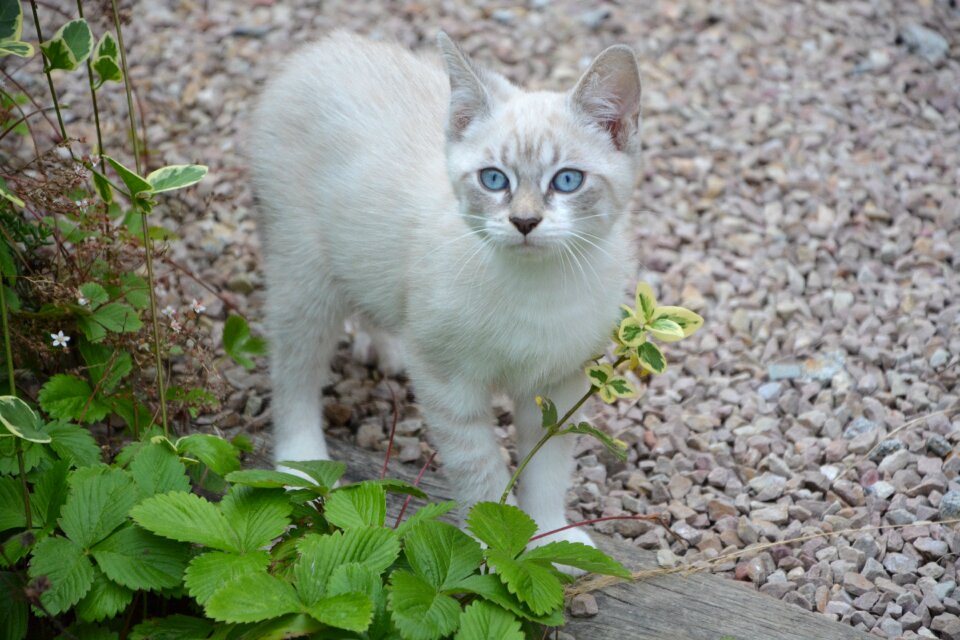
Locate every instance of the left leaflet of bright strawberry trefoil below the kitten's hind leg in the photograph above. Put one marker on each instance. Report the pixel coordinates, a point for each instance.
(188, 518)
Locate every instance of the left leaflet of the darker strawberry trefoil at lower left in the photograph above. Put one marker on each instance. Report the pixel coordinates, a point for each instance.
(68, 570)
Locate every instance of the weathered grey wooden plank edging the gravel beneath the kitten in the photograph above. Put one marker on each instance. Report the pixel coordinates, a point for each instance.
(670, 607)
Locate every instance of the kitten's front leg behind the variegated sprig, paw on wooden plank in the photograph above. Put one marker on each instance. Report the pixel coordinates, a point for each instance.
(543, 485)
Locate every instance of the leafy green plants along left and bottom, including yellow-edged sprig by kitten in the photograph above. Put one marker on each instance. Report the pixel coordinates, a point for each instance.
(113, 526)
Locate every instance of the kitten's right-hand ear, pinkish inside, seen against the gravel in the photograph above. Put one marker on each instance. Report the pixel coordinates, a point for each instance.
(609, 94)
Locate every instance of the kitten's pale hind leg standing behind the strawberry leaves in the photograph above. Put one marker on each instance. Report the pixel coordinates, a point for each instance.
(304, 324)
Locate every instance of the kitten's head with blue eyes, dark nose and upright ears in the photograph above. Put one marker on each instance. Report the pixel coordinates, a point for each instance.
(541, 172)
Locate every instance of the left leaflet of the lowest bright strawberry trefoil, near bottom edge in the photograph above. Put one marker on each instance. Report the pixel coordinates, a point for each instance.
(252, 597)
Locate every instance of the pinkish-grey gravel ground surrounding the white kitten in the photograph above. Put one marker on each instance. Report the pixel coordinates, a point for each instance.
(799, 190)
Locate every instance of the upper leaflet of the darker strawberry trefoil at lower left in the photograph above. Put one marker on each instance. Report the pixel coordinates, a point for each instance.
(99, 501)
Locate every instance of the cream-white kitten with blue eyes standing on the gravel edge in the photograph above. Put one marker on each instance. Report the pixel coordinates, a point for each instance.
(480, 228)
